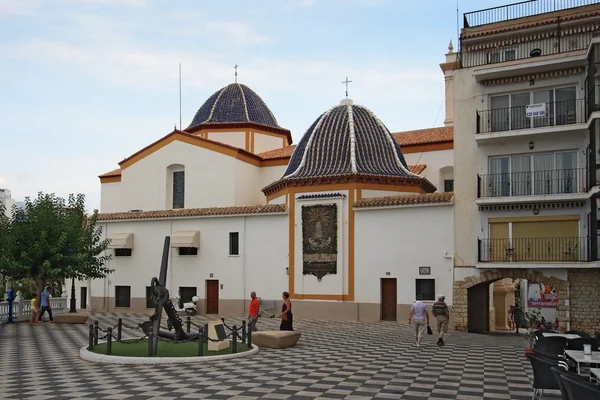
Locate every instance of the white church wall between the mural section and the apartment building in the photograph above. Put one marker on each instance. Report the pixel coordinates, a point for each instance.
(399, 241)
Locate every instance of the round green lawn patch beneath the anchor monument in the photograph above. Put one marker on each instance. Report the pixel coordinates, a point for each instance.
(165, 349)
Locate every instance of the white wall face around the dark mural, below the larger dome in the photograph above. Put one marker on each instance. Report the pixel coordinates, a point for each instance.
(333, 284)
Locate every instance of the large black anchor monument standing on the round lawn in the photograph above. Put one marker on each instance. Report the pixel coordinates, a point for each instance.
(161, 298)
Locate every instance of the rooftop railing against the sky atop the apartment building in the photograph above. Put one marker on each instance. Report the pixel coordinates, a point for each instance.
(519, 10)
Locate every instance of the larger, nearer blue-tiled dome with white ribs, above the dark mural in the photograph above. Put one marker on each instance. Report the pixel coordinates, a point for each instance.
(348, 143)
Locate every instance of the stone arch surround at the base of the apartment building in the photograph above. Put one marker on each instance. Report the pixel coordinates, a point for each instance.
(471, 297)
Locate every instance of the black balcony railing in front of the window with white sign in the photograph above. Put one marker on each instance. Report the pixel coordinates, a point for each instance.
(557, 113)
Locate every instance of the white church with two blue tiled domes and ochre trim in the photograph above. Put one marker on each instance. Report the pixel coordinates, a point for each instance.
(353, 221)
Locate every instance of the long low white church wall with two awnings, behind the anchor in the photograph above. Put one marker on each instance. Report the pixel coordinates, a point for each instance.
(262, 252)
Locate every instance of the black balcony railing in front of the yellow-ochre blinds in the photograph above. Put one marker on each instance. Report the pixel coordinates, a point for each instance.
(556, 249)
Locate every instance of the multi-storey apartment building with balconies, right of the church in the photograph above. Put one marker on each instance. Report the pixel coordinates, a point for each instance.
(526, 109)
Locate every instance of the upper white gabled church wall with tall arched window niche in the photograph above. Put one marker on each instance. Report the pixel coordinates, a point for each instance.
(144, 184)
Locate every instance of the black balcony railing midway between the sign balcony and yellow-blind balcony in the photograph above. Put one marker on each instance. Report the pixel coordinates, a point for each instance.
(556, 181)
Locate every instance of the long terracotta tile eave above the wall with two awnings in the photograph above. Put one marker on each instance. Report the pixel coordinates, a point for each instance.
(194, 212)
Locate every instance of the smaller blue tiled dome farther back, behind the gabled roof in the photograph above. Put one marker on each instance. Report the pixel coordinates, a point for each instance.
(235, 103)
